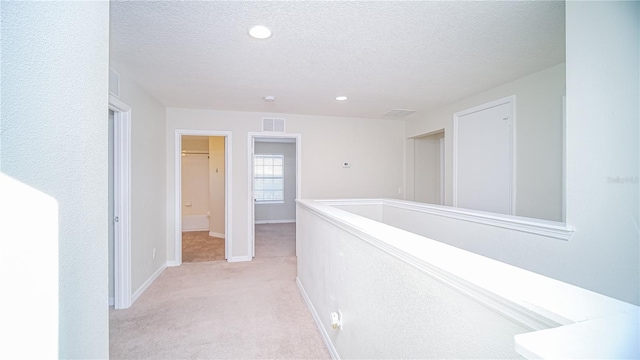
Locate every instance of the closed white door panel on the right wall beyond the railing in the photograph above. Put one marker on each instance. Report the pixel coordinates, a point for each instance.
(483, 178)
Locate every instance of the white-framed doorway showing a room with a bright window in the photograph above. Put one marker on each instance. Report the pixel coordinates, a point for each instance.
(274, 185)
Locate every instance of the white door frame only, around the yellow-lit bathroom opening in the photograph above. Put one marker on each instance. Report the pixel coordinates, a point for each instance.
(178, 190)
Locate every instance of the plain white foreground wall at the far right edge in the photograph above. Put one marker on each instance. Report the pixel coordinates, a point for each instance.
(603, 117)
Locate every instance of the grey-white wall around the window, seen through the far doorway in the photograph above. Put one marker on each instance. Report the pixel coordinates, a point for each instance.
(287, 210)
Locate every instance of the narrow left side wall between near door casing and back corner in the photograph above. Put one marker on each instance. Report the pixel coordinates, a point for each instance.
(148, 205)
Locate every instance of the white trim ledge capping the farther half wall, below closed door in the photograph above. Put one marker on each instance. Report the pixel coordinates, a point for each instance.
(552, 229)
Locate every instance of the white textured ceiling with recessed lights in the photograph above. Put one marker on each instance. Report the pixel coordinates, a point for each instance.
(382, 55)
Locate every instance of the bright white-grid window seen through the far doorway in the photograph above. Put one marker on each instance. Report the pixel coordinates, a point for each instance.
(268, 178)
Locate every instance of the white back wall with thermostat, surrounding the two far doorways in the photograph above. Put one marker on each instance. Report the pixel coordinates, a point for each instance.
(374, 148)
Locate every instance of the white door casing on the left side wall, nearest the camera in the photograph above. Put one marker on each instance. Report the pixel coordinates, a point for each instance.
(122, 196)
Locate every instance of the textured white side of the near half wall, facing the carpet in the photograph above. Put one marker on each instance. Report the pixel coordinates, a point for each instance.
(391, 310)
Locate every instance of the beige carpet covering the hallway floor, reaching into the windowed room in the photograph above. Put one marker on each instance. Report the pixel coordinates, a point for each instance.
(220, 310)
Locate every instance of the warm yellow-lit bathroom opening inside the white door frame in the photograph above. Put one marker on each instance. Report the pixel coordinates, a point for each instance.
(203, 198)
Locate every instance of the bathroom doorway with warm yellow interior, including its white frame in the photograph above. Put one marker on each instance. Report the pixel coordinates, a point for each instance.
(208, 213)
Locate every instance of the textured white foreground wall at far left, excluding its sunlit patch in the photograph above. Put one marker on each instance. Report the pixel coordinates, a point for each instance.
(55, 59)
